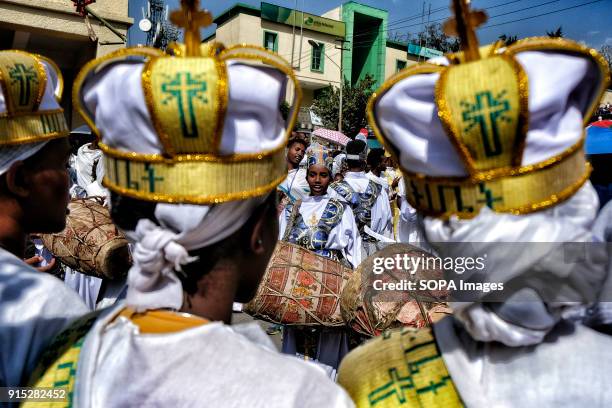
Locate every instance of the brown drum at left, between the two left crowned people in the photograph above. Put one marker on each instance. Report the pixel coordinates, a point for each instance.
(90, 243)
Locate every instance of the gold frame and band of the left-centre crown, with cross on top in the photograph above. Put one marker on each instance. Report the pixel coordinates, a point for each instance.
(186, 94)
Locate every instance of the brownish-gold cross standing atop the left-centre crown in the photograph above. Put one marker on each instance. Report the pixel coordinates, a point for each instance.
(191, 19)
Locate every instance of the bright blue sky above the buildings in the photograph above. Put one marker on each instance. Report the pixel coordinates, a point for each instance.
(591, 23)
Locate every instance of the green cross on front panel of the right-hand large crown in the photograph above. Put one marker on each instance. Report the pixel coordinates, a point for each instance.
(486, 112)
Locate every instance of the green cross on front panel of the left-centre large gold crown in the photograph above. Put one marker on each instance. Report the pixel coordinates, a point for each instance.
(185, 88)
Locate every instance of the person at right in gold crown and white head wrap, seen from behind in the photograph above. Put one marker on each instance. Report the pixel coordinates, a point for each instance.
(504, 178)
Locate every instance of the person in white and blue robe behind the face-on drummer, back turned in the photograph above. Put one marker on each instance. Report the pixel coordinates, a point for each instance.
(369, 200)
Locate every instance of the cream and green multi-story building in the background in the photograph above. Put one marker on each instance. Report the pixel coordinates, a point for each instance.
(350, 39)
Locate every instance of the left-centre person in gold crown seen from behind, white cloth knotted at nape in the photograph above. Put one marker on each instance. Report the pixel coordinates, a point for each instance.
(193, 145)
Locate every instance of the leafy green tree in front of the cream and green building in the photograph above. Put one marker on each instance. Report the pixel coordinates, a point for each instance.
(354, 103)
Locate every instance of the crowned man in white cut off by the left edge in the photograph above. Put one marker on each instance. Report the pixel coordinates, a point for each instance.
(34, 307)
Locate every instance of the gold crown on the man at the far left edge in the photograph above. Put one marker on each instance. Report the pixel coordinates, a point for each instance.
(23, 81)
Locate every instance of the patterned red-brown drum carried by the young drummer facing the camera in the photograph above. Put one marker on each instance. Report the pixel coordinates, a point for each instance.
(300, 288)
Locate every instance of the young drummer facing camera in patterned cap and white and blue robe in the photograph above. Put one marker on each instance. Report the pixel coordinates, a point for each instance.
(324, 224)
